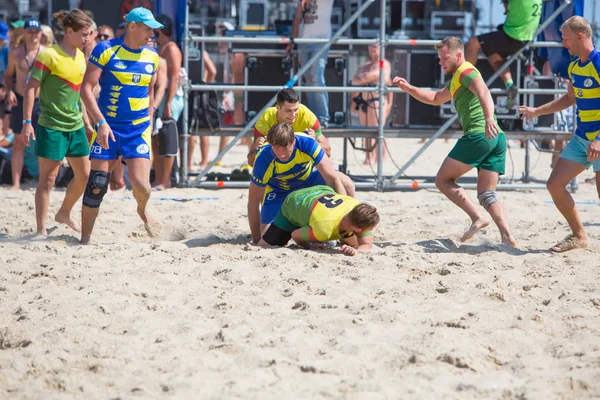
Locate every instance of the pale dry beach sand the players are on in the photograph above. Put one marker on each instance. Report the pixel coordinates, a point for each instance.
(198, 313)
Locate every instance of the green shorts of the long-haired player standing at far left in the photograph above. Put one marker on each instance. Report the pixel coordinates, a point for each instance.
(56, 145)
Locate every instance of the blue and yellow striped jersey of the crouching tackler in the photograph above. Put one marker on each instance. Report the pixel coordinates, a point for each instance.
(291, 174)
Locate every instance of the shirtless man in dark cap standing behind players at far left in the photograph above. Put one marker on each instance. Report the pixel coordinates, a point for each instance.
(20, 62)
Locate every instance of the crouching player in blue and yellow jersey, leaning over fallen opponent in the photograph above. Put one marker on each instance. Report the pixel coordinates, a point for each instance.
(290, 161)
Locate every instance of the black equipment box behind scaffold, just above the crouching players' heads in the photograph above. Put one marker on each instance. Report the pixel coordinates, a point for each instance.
(267, 71)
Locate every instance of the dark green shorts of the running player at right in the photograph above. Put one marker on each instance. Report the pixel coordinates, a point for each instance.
(480, 152)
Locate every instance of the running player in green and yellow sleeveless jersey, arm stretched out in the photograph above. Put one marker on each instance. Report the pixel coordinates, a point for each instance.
(483, 146)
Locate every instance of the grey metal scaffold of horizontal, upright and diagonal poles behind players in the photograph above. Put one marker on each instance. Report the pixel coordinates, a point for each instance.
(381, 183)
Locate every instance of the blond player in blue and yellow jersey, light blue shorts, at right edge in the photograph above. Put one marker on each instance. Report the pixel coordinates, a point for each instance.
(583, 149)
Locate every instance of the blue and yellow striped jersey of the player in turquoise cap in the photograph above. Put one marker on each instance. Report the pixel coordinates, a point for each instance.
(126, 75)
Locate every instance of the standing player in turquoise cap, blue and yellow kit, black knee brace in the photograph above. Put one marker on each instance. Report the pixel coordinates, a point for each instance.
(125, 69)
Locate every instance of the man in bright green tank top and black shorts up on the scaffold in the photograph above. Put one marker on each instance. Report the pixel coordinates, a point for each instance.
(522, 20)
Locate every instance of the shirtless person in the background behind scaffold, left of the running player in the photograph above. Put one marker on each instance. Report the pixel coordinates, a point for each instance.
(367, 103)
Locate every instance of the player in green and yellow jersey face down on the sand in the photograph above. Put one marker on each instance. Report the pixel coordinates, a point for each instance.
(318, 214)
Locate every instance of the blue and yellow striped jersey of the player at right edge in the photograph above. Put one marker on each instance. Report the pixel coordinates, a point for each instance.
(585, 78)
